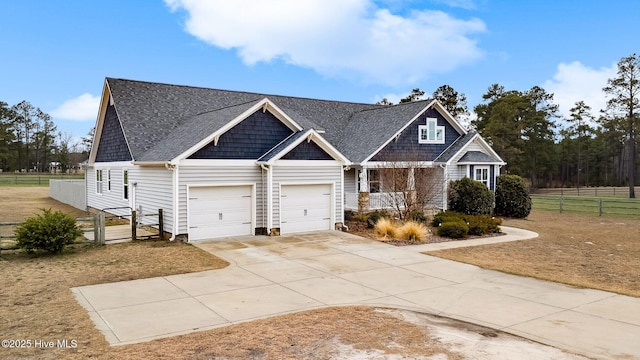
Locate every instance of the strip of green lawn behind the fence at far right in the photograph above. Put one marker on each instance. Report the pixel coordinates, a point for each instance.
(603, 206)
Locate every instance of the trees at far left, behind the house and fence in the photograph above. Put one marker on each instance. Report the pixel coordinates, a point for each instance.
(29, 141)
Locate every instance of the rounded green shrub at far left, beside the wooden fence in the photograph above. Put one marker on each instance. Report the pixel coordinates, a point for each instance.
(48, 231)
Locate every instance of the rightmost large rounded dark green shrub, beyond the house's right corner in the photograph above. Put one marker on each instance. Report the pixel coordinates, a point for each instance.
(512, 197)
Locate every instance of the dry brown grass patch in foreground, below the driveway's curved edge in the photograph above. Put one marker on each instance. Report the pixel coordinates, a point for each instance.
(308, 335)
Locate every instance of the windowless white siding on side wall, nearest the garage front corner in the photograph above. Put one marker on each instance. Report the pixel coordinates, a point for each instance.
(153, 191)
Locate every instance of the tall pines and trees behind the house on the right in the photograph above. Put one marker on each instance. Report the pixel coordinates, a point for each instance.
(585, 148)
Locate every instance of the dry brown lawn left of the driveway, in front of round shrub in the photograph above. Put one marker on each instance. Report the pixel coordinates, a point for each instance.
(37, 302)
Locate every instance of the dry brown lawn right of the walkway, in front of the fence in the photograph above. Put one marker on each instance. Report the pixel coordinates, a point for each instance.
(580, 250)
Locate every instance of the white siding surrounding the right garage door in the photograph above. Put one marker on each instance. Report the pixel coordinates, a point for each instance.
(308, 175)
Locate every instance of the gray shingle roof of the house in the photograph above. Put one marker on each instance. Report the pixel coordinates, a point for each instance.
(162, 121)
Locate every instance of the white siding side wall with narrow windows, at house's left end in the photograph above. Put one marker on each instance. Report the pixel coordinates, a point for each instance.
(109, 199)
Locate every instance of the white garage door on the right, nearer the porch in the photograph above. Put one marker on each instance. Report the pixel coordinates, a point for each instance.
(305, 208)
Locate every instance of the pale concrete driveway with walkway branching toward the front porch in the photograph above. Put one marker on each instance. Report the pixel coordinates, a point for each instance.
(275, 276)
